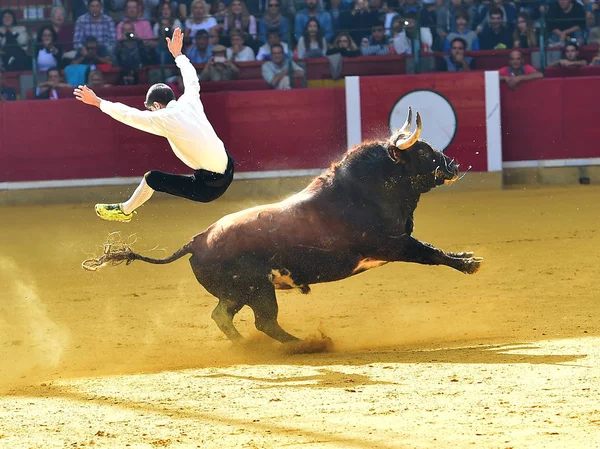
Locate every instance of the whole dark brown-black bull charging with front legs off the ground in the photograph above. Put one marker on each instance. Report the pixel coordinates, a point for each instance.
(357, 215)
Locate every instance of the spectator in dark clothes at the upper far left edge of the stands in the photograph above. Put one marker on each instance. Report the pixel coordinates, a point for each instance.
(14, 42)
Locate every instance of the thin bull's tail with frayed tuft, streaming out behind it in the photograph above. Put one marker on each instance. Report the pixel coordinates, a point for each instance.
(116, 252)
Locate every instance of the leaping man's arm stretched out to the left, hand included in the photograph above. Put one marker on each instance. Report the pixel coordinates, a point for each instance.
(142, 120)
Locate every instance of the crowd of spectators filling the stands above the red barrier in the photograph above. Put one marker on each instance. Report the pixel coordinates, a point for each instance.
(77, 46)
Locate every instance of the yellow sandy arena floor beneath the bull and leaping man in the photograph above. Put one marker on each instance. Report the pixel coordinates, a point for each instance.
(424, 357)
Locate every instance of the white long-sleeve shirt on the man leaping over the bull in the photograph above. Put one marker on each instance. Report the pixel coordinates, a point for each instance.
(183, 123)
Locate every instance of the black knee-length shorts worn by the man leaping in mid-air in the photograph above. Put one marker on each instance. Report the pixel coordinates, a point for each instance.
(203, 186)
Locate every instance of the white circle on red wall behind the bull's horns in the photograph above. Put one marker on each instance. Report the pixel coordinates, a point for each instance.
(437, 115)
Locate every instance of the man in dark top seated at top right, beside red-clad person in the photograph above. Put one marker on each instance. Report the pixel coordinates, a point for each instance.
(565, 20)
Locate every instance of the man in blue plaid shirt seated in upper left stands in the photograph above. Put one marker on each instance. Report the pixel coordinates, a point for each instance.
(95, 24)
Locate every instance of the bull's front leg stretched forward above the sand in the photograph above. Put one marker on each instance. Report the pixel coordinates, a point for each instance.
(409, 249)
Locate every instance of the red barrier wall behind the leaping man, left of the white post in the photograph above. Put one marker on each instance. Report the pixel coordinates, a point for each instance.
(43, 140)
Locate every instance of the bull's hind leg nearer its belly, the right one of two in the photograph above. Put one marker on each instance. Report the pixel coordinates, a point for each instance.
(263, 303)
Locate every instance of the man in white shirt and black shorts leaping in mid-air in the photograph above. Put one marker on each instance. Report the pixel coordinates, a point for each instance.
(191, 136)
